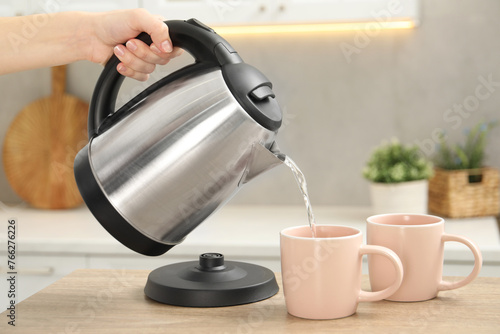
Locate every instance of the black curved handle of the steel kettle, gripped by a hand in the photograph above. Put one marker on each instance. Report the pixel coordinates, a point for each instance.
(193, 36)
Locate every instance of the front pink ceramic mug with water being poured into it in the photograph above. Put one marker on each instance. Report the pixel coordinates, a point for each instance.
(322, 275)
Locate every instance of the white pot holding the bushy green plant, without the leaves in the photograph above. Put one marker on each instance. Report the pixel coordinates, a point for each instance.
(404, 197)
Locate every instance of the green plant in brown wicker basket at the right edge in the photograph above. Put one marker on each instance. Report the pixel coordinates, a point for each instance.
(462, 185)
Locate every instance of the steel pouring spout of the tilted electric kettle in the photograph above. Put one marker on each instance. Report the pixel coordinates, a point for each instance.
(262, 159)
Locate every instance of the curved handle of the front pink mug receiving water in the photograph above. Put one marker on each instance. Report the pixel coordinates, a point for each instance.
(367, 296)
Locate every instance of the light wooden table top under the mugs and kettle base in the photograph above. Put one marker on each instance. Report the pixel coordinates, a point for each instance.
(113, 301)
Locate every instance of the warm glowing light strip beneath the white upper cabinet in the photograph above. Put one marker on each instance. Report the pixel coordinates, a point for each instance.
(301, 28)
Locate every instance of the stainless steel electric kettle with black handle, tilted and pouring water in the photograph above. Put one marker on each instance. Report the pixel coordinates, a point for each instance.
(161, 164)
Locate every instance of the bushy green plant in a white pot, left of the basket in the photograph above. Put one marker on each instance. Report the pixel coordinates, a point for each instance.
(398, 176)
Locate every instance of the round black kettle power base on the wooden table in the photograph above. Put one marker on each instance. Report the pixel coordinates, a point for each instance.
(210, 282)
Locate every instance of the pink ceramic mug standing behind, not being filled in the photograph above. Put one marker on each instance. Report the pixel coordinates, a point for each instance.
(419, 242)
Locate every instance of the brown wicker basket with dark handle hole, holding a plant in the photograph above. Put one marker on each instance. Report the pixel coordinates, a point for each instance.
(464, 193)
